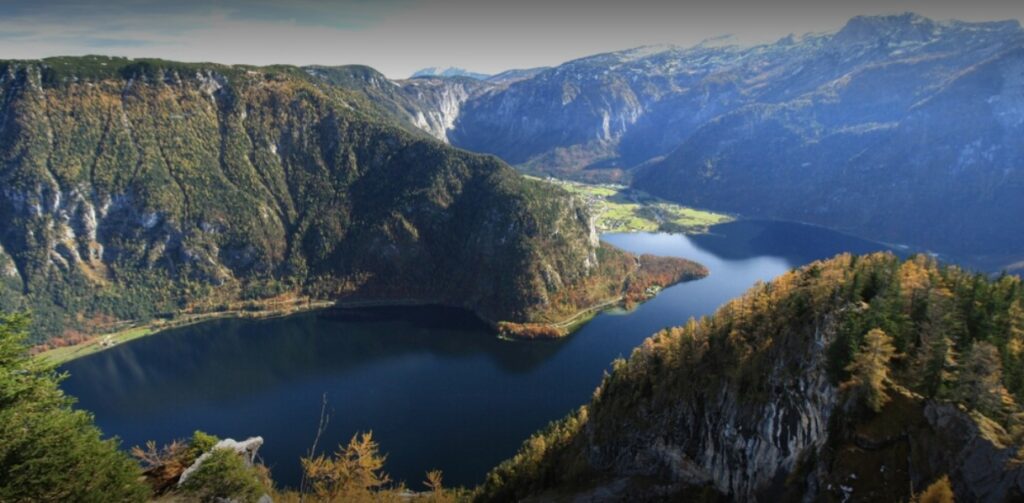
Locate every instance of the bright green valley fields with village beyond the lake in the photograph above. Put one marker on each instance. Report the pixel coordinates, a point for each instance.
(623, 209)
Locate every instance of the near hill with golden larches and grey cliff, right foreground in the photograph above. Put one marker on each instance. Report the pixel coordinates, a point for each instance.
(855, 380)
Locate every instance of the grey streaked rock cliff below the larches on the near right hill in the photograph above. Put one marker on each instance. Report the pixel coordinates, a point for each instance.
(720, 438)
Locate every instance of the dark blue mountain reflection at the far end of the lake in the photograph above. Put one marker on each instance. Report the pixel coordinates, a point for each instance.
(797, 243)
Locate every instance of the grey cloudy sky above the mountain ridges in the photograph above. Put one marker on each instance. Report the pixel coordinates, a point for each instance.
(399, 37)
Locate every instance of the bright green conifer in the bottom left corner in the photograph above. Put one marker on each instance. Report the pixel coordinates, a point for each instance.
(49, 451)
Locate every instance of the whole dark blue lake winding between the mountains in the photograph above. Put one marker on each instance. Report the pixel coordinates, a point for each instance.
(438, 389)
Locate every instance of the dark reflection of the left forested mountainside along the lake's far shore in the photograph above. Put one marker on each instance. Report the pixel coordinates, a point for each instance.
(229, 359)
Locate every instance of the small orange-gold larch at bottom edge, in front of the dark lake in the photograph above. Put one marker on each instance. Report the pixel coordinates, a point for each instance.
(355, 474)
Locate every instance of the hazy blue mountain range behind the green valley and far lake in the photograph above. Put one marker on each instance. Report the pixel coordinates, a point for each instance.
(895, 129)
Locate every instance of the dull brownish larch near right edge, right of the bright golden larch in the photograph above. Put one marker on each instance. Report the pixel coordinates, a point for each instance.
(980, 384)
